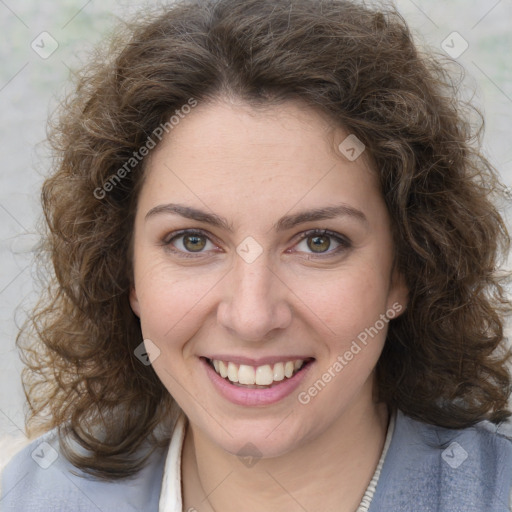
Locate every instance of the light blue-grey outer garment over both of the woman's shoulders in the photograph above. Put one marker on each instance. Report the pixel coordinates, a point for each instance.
(426, 469)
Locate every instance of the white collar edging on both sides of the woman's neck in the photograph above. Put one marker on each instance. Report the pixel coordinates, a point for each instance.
(170, 495)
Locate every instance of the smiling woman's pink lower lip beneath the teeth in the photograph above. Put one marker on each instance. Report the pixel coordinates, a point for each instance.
(255, 396)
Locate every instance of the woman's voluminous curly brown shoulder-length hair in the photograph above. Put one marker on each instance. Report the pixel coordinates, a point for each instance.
(445, 359)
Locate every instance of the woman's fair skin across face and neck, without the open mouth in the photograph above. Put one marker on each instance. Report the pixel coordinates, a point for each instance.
(253, 167)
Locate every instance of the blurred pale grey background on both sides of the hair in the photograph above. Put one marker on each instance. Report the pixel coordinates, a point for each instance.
(43, 41)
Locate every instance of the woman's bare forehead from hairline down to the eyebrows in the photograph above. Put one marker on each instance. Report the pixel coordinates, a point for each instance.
(224, 153)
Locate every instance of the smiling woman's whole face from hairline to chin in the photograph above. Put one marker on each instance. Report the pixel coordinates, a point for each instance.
(259, 243)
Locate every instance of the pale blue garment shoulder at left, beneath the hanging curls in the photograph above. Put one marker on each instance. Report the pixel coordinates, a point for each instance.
(39, 478)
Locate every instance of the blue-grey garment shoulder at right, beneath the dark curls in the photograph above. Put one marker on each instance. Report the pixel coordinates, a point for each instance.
(434, 468)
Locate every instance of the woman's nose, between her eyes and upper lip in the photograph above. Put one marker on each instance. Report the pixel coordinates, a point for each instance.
(255, 301)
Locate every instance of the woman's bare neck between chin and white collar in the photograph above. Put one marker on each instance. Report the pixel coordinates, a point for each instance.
(329, 473)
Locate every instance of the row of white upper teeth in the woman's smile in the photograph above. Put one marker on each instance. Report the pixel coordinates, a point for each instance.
(261, 375)
